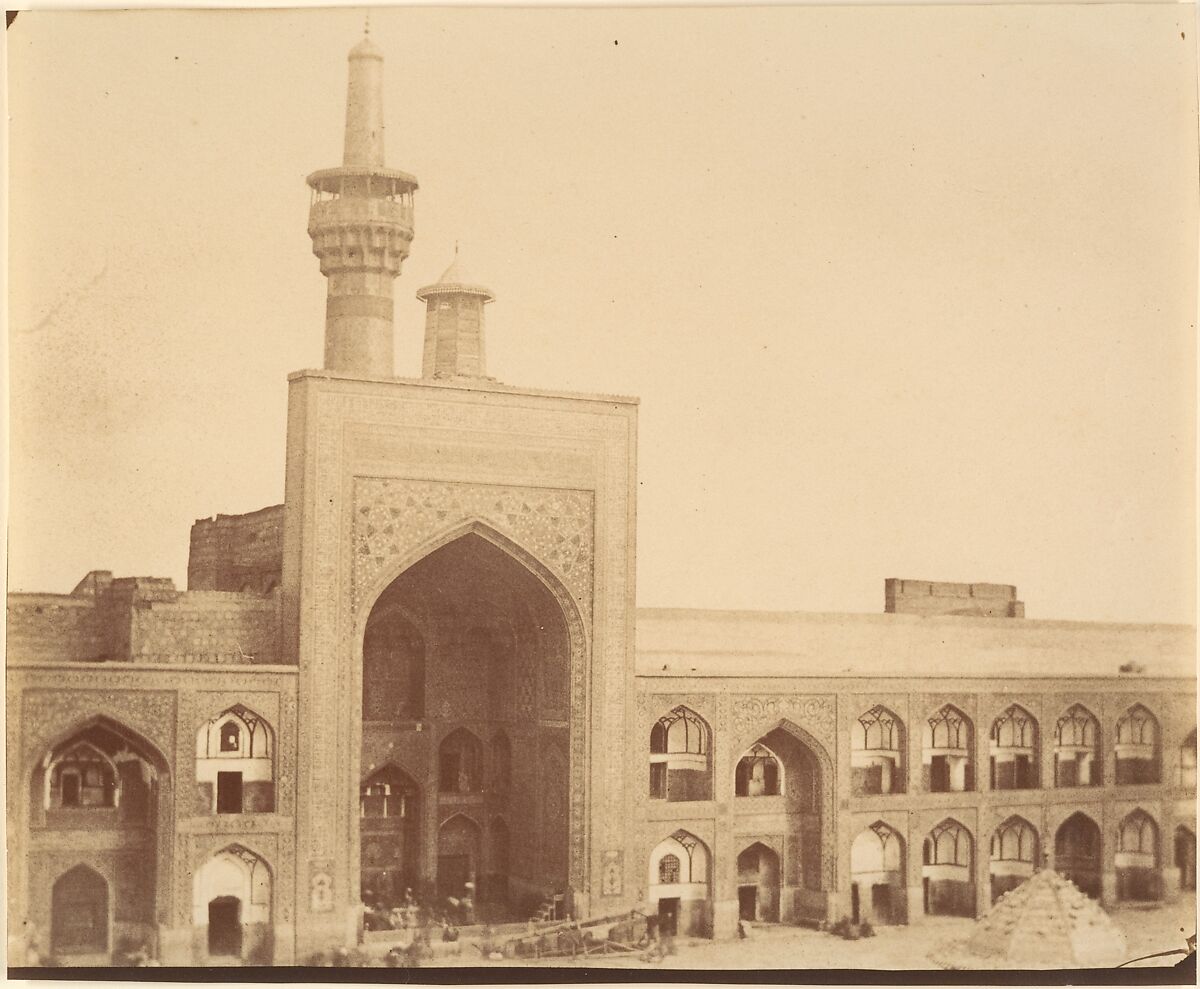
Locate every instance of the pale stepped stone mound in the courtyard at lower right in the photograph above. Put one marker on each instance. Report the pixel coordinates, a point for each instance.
(1047, 922)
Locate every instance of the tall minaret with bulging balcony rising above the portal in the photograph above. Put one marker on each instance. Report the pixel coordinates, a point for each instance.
(362, 227)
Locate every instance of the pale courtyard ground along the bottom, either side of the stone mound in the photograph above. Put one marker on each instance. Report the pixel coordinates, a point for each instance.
(1147, 930)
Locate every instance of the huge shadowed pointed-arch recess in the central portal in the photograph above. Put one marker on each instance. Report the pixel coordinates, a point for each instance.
(479, 643)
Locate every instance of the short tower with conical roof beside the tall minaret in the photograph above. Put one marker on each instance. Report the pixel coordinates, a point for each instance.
(454, 326)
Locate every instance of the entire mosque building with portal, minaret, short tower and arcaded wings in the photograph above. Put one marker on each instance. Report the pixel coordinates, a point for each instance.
(427, 670)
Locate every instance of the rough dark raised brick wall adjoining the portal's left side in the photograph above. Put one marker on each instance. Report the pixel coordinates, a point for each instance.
(237, 553)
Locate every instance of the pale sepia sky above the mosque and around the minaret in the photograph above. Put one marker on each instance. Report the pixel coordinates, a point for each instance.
(904, 291)
